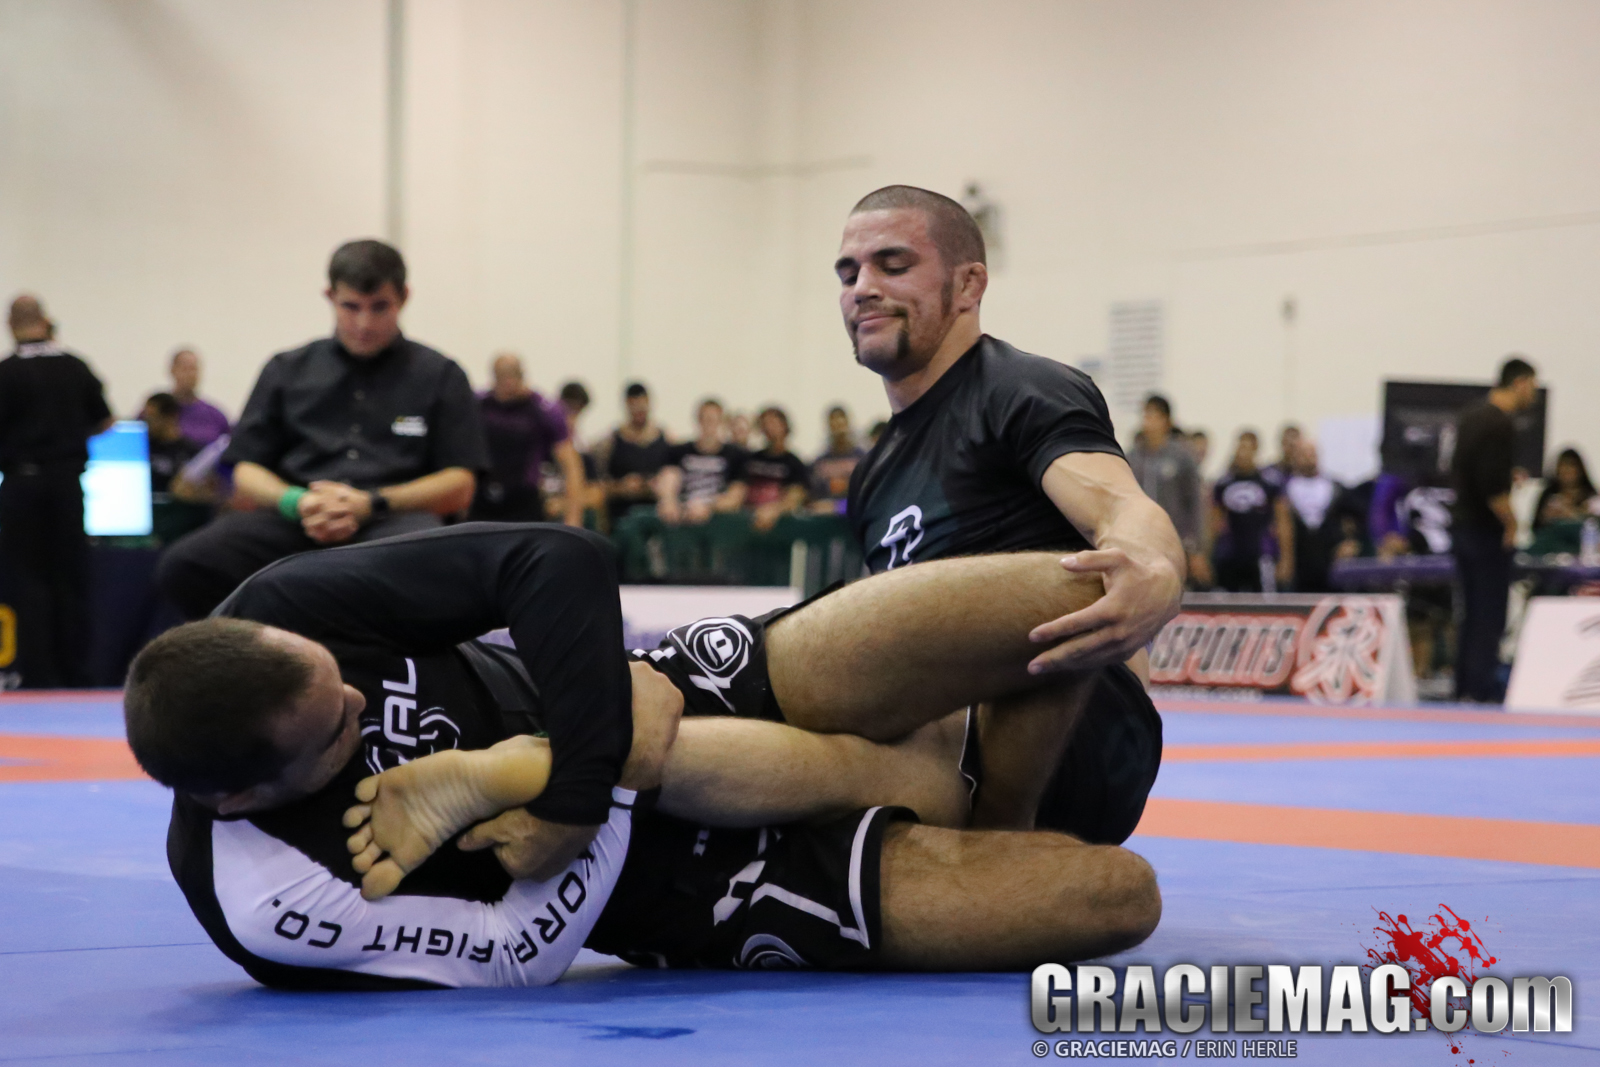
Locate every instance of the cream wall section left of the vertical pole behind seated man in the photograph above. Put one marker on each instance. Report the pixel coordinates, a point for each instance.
(178, 172)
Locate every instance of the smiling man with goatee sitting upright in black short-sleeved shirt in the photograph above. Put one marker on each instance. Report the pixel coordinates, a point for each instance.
(994, 450)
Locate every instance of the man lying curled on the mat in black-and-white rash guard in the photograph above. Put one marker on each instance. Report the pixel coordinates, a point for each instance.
(337, 665)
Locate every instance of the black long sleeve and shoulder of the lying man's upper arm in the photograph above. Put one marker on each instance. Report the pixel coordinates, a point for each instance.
(554, 588)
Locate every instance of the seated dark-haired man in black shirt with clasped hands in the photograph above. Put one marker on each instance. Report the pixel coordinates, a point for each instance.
(354, 438)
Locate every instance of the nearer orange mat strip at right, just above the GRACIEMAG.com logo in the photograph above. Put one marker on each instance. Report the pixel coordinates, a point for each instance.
(1511, 841)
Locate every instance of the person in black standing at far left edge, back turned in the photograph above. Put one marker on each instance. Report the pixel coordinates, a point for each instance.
(50, 406)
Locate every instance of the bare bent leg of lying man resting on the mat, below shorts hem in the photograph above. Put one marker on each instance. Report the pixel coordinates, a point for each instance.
(1009, 901)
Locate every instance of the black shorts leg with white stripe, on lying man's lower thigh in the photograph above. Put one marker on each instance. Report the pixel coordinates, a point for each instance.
(777, 898)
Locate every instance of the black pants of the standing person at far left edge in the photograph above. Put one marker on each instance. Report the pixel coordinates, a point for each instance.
(47, 562)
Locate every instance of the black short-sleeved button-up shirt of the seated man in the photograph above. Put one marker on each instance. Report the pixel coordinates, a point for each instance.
(321, 414)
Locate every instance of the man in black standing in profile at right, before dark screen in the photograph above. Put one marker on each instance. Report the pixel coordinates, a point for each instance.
(1484, 529)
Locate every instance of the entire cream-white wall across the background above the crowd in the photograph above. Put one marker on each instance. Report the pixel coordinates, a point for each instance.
(1417, 177)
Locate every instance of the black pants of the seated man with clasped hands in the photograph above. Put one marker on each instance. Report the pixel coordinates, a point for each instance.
(201, 570)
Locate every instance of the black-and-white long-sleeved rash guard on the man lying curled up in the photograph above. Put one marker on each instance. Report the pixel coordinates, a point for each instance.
(276, 890)
